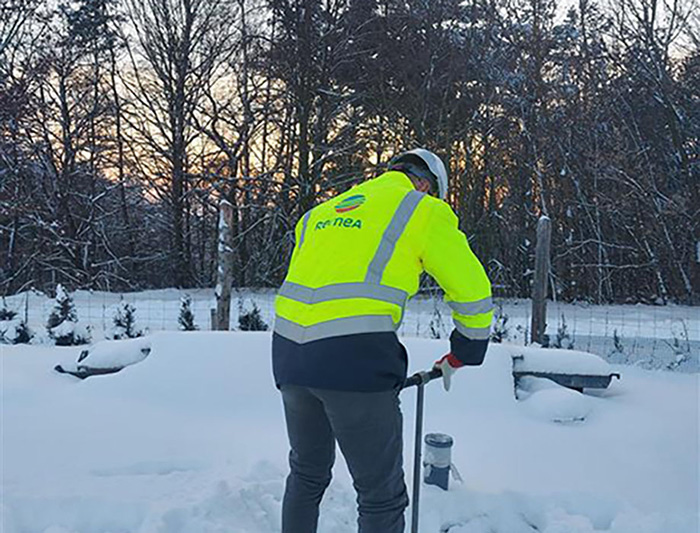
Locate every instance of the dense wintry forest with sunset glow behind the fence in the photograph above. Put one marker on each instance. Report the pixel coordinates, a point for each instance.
(125, 123)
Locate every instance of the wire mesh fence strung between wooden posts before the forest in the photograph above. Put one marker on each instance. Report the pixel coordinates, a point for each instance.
(664, 337)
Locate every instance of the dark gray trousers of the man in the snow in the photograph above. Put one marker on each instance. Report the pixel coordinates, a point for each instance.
(368, 428)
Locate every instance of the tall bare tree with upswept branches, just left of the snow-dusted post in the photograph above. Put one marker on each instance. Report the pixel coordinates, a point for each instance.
(182, 44)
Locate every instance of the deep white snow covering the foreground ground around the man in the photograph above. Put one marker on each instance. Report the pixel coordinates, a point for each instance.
(192, 440)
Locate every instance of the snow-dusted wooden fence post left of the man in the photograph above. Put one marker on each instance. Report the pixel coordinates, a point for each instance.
(224, 272)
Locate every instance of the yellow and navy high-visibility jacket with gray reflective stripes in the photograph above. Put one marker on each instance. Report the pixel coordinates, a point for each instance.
(356, 262)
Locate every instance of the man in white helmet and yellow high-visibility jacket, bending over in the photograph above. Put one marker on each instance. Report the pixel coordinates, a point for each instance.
(336, 357)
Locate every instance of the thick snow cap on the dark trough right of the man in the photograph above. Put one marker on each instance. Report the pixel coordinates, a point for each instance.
(553, 361)
